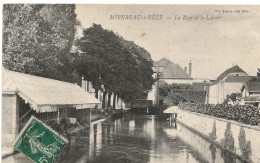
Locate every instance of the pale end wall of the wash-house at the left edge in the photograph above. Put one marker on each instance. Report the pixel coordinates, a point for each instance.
(9, 119)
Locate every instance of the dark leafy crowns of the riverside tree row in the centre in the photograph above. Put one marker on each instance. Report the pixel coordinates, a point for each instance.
(105, 58)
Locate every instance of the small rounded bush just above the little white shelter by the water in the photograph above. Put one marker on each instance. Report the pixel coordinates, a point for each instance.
(174, 99)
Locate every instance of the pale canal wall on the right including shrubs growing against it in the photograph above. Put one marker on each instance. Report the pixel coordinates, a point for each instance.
(221, 132)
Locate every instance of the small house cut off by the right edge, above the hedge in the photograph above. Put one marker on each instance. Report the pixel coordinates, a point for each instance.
(251, 93)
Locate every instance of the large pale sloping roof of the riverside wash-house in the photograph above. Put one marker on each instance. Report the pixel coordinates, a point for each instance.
(45, 95)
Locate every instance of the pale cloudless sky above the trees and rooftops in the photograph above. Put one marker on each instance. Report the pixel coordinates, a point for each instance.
(229, 36)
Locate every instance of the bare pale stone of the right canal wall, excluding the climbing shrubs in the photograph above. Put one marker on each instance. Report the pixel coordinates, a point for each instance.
(204, 125)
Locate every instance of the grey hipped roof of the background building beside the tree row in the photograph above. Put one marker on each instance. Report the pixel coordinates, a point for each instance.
(174, 71)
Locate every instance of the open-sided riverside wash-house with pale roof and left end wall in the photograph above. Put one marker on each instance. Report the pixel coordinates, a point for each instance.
(24, 95)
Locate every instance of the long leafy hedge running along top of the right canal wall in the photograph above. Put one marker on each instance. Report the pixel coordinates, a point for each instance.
(244, 113)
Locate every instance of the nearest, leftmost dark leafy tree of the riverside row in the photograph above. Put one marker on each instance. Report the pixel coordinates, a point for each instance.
(99, 57)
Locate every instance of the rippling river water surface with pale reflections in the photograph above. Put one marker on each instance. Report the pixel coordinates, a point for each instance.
(141, 138)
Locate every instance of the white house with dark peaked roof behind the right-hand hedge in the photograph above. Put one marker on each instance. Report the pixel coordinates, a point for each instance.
(230, 81)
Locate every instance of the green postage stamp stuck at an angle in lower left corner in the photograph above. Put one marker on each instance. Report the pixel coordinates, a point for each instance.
(39, 142)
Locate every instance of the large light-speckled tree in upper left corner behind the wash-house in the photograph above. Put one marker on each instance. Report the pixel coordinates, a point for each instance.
(37, 38)
